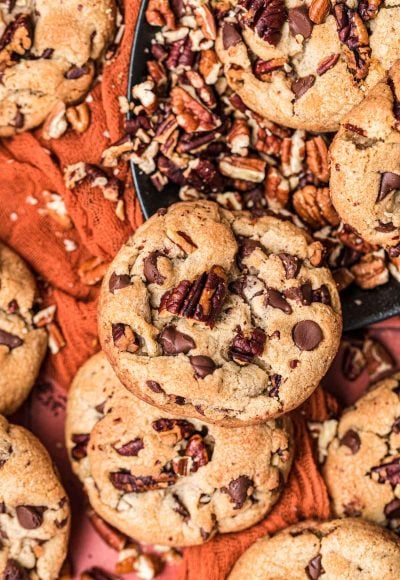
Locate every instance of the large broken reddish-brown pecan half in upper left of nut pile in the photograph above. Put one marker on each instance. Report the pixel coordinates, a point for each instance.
(191, 115)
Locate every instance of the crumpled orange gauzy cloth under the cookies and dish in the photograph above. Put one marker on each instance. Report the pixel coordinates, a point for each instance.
(30, 165)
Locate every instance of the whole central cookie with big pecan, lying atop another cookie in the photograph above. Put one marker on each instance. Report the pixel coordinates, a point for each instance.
(218, 315)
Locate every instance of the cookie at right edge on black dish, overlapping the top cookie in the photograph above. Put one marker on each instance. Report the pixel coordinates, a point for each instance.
(365, 165)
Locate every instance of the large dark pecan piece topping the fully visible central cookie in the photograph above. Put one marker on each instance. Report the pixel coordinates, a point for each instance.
(200, 300)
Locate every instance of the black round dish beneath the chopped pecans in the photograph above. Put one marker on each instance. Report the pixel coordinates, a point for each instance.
(360, 307)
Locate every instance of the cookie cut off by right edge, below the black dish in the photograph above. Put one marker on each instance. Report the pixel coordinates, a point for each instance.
(362, 469)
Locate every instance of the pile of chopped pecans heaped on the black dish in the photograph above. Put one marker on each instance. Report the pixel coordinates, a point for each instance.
(187, 128)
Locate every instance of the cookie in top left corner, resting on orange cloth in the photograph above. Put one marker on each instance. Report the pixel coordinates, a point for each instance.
(48, 53)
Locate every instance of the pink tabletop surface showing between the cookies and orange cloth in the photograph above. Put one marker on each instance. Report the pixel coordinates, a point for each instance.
(44, 414)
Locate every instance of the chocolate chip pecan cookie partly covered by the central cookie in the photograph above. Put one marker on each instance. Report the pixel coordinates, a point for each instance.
(163, 479)
